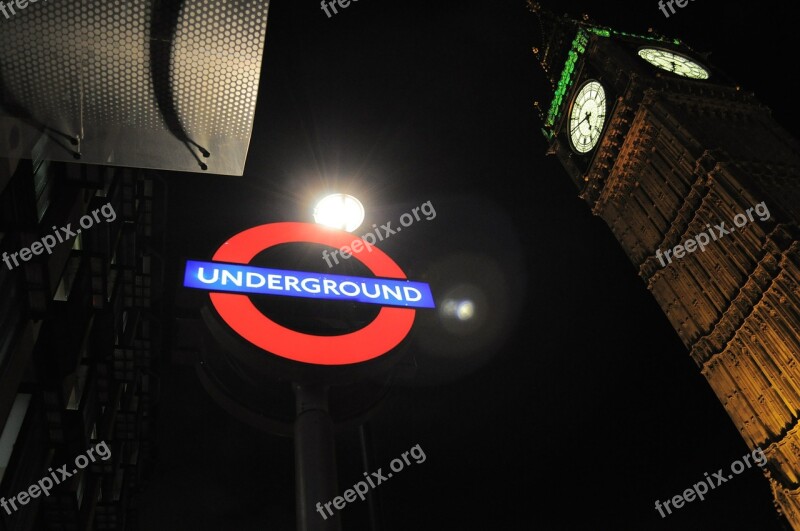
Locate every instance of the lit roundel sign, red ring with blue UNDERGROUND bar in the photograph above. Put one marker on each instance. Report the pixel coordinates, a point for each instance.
(231, 282)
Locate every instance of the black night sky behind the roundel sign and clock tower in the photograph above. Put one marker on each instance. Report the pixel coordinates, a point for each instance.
(573, 405)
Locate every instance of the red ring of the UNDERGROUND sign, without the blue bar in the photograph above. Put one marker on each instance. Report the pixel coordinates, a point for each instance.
(388, 329)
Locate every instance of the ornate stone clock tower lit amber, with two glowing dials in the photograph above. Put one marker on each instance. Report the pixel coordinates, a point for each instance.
(673, 156)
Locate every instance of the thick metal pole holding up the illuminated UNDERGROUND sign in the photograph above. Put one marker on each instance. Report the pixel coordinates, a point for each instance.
(314, 460)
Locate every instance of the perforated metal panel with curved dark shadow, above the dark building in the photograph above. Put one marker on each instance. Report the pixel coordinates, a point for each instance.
(143, 83)
